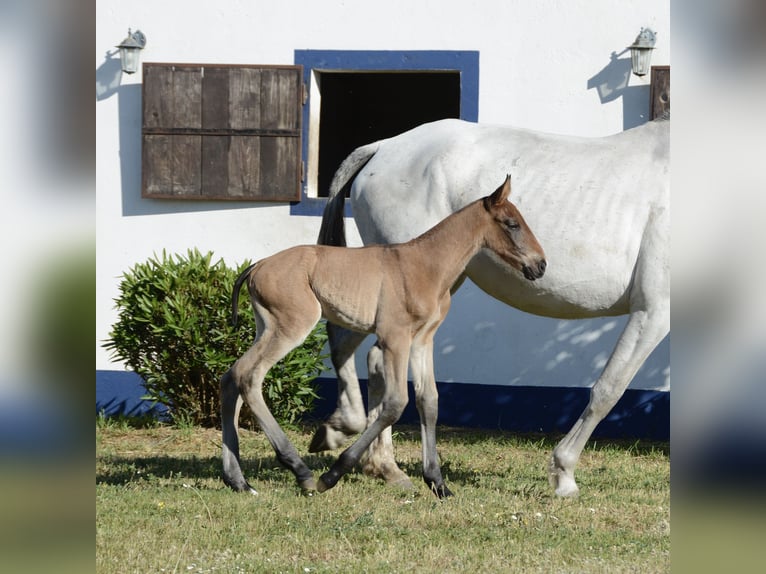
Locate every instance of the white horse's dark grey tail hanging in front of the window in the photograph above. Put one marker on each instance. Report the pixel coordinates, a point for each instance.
(333, 231)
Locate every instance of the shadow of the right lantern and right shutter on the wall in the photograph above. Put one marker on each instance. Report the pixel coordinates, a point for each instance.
(612, 83)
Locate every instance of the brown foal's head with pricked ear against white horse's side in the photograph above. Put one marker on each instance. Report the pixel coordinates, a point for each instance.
(510, 237)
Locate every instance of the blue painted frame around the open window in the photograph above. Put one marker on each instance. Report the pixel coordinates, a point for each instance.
(465, 62)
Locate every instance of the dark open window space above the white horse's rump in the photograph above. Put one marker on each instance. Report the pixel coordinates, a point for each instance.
(359, 108)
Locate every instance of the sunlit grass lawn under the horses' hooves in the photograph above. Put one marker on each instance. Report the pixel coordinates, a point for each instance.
(161, 507)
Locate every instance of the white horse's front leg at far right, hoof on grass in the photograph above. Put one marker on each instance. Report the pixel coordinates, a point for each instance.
(648, 324)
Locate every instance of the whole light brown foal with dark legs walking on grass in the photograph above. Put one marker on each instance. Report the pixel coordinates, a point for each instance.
(401, 293)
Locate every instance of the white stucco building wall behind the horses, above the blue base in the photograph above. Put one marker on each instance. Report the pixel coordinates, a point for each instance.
(540, 64)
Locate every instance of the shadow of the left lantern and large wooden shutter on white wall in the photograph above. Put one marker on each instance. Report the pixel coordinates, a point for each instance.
(109, 84)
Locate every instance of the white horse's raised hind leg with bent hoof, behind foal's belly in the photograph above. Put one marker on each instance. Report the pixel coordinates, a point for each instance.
(349, 416)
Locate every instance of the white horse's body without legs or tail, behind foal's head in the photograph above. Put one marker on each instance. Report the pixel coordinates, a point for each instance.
(588, 200)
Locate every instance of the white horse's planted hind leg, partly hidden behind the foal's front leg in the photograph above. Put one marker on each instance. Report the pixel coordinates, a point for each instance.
(378, 461)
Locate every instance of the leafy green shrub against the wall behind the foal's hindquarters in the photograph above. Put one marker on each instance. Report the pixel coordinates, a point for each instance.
(174, 330)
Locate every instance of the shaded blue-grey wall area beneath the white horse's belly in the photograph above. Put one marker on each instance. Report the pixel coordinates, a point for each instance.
(510, 347)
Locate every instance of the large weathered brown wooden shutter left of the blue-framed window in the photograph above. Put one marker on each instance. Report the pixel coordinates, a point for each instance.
(222, 132)
